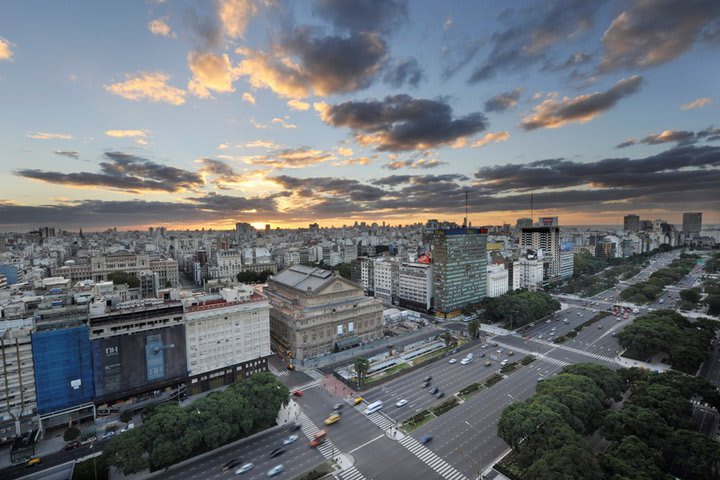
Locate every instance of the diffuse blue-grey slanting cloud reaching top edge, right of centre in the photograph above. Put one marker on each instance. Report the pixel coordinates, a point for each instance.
(532, 32)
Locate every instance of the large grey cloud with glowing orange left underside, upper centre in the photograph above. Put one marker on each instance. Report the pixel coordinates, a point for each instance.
(305, 61)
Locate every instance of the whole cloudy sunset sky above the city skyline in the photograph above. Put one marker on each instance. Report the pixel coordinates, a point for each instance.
(191, 114)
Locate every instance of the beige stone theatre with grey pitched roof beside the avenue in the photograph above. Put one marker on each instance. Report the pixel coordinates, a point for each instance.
(314, 312)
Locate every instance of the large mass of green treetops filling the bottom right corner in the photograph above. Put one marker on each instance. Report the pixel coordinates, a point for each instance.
(652, 436)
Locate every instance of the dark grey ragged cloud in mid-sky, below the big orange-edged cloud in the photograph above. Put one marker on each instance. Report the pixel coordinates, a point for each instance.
(401, 122)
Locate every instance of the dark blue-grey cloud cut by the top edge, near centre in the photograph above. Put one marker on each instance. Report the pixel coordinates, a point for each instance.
(363, 15)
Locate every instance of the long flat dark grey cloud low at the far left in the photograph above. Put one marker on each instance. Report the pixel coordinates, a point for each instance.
(123, 171)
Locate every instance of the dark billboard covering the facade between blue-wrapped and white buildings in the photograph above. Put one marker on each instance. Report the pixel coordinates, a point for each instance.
(125, 365)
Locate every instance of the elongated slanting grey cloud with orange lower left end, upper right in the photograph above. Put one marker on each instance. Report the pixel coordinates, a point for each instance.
(553, 113)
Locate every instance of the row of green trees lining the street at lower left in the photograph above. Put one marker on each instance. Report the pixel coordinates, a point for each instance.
(171, 433)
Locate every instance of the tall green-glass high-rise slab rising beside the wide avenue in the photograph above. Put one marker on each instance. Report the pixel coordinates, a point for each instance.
(459, 259)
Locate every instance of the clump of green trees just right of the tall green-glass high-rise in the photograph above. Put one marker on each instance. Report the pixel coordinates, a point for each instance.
(520, 307)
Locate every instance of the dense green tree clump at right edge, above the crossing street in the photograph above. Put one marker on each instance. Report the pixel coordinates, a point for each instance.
(667, 332)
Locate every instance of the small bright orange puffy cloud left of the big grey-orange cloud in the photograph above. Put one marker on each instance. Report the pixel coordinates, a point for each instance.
(210, 72)
